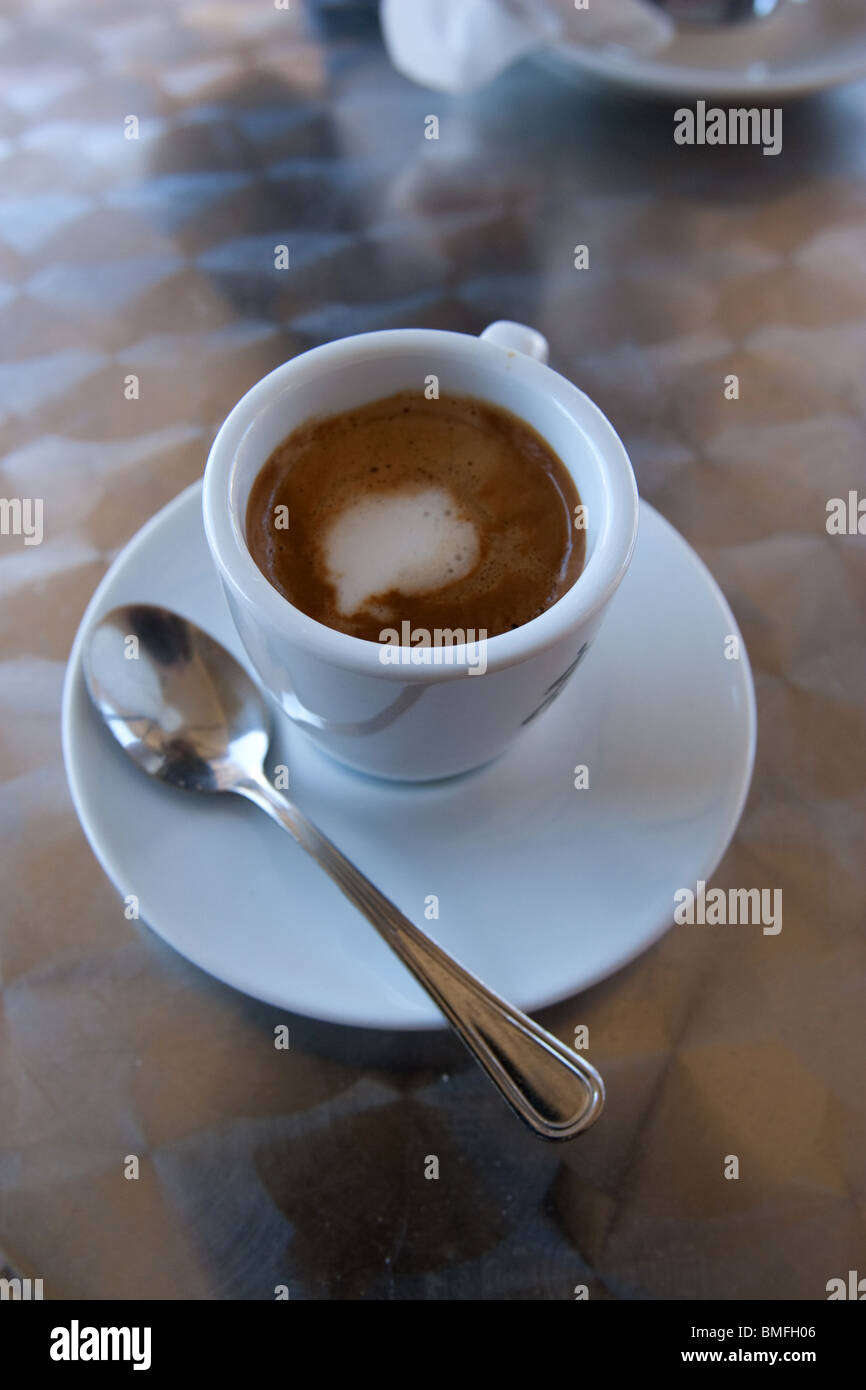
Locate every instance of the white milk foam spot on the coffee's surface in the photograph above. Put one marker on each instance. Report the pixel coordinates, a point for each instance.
(408, 541)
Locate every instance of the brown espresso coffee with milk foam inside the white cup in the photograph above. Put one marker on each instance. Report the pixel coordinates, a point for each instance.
(447, 515)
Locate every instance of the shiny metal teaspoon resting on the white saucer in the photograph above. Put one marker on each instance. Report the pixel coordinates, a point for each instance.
(188, 714)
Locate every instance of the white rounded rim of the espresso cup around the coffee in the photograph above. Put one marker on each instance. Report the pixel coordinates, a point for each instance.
(591, 591)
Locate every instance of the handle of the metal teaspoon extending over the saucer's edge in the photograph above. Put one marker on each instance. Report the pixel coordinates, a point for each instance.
(550, 1086)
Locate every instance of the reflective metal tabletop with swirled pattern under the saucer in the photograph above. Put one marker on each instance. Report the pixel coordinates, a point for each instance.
(152, 161)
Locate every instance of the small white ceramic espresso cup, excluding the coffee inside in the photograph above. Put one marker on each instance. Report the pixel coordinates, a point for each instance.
(400, 711)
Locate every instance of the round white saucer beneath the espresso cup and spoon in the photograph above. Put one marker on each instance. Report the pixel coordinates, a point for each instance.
(543, 889)
